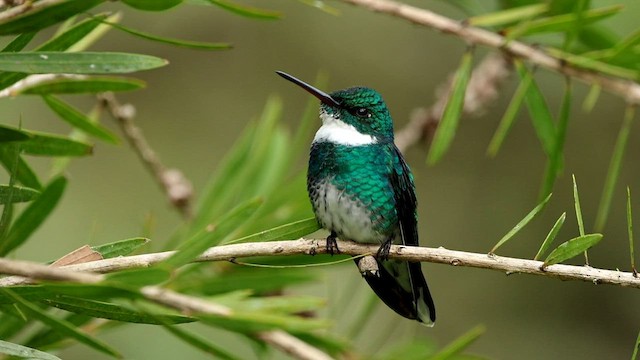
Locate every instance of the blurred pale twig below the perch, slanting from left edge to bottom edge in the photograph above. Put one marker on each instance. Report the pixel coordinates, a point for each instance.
(187, 304)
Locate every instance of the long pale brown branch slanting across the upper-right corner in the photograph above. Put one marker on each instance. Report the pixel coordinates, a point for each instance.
(624, 88)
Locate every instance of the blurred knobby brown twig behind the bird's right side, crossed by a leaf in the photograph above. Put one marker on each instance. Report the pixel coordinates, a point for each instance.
(483, 87)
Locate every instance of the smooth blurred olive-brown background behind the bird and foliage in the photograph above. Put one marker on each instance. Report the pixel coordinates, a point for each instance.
(195, 108)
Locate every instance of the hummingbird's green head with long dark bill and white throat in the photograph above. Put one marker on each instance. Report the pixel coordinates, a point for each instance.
(358, 114)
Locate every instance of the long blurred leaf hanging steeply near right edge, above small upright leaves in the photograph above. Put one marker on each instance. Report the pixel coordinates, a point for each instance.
(614, 169)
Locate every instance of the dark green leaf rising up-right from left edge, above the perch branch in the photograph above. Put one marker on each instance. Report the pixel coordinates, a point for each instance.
(34, 215)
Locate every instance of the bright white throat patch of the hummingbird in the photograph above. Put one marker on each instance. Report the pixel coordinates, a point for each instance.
(338, 132)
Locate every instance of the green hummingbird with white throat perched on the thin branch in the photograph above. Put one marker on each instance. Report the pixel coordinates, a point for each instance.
(361, 189)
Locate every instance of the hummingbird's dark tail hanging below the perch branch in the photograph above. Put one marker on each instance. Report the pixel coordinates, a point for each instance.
(402, 287)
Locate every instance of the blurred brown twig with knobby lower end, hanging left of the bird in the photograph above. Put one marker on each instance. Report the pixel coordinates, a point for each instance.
(176, 186)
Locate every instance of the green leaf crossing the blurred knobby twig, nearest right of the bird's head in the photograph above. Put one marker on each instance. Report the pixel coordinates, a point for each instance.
(452, 111)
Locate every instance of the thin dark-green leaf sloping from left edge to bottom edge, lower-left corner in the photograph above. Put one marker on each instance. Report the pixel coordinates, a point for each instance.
(61, 325)
